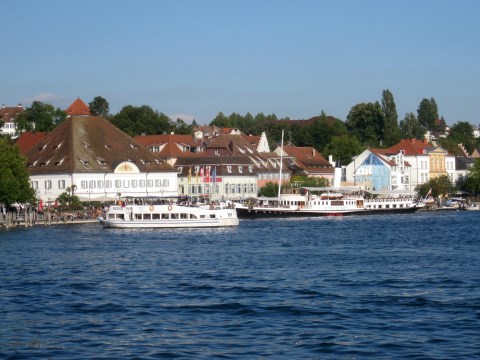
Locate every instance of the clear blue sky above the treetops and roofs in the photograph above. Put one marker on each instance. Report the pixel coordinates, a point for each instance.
(199, 58)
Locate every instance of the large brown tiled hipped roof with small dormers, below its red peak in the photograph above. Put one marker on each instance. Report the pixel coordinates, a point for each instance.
(89, 144)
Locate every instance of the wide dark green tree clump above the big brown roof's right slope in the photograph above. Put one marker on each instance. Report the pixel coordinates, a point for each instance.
(137, 120)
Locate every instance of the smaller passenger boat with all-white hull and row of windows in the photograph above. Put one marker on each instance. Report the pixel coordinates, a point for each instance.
(151, 212)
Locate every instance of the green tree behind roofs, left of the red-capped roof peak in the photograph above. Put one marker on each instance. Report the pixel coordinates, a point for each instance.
(39, 117)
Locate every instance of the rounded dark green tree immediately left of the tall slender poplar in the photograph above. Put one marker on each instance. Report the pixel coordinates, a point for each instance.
(365, 121)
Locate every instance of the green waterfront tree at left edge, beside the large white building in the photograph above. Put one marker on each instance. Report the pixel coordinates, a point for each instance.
(14, 177)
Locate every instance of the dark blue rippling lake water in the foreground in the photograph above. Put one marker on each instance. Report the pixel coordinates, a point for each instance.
(397, 286)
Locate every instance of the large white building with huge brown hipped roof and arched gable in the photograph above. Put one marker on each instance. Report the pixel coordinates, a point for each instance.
(99, 160)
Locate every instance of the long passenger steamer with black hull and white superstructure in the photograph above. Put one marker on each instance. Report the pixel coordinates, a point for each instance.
(328, 202)
